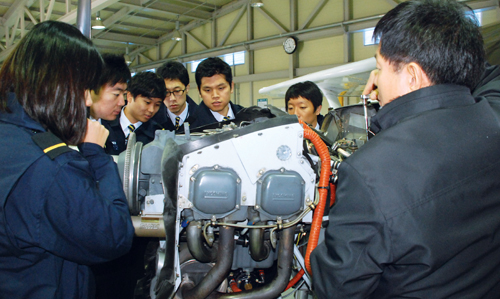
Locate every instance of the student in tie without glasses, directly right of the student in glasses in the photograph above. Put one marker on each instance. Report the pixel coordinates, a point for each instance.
(215, 84)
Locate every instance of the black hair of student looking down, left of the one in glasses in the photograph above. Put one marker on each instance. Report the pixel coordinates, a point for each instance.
(147, 84)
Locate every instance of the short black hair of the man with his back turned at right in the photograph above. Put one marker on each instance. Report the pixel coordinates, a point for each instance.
(442, 36)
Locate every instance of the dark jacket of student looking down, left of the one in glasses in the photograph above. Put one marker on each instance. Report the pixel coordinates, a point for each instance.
(115, 144)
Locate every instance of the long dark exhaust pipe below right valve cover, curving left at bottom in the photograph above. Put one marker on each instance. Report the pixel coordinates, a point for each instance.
(278, 285)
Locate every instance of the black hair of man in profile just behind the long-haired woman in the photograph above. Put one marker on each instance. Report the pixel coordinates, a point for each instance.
(115, 71)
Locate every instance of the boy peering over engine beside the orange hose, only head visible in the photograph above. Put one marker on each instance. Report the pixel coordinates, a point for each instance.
(304, 99)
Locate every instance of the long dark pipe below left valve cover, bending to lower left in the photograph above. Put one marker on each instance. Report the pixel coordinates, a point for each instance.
(220, 270)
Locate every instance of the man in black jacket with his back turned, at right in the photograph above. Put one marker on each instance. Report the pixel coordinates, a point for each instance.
(417, 206)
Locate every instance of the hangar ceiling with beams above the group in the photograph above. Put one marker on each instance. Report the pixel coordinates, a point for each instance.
(135, 26)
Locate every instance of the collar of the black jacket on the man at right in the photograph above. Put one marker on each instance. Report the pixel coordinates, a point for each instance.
(419, 101)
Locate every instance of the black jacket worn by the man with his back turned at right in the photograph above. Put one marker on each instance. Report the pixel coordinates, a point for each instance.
(417, 211)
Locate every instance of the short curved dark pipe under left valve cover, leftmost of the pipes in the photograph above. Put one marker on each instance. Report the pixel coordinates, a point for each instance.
(197, 246)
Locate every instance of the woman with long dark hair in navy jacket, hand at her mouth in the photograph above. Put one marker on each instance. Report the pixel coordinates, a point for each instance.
(55, 220)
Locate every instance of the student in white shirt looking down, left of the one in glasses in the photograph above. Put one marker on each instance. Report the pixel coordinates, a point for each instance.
(145, 94)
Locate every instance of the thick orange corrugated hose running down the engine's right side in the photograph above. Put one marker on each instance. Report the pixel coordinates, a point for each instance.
(324, 183)
